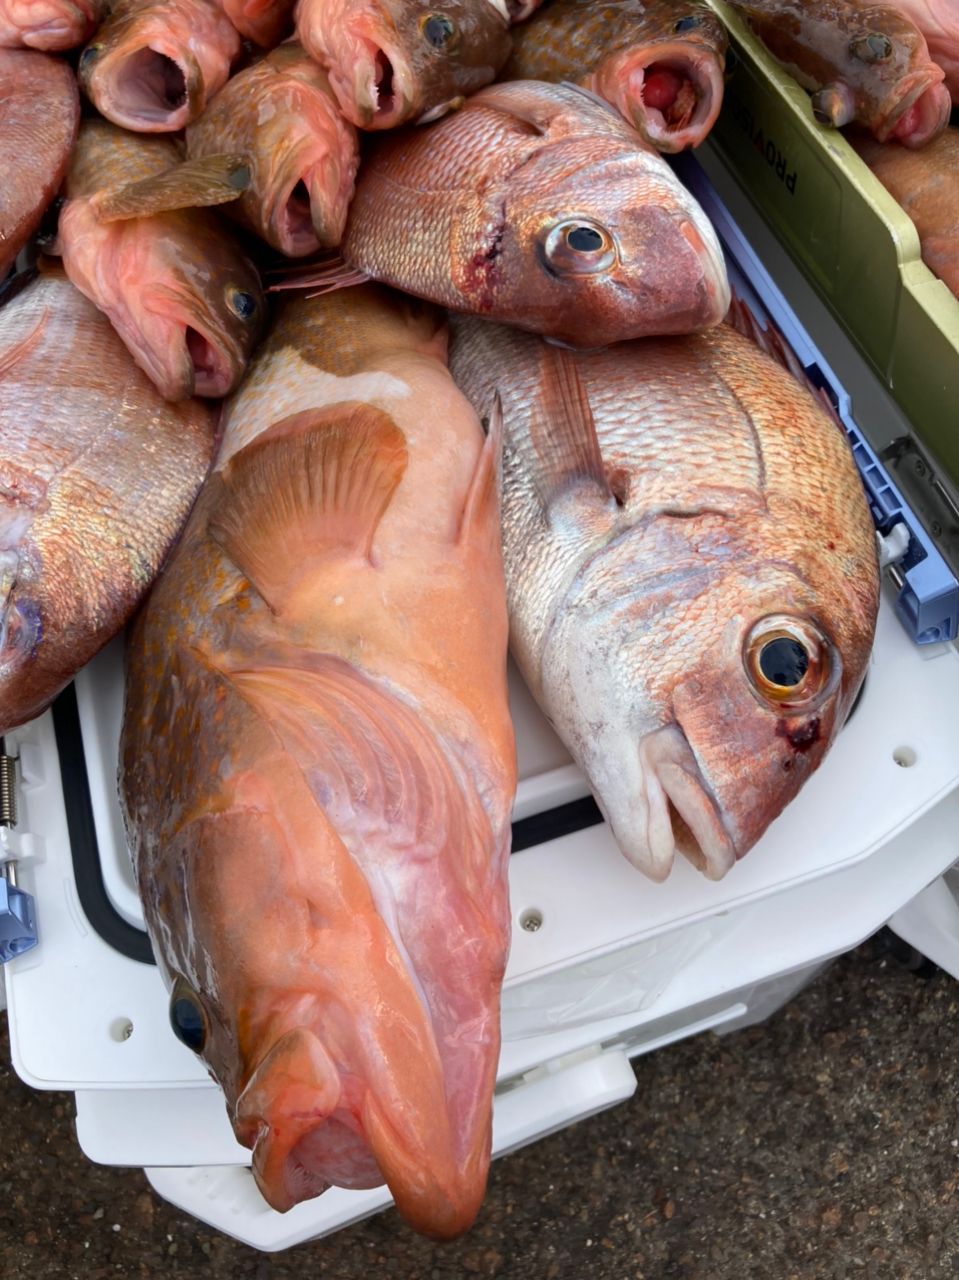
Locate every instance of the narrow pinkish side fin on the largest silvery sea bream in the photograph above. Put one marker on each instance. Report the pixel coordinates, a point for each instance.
(564, 432)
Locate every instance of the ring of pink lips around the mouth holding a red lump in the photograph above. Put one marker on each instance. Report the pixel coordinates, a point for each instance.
(706, 75)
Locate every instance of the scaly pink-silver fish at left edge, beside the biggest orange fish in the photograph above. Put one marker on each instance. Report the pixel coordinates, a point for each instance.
(99, 476)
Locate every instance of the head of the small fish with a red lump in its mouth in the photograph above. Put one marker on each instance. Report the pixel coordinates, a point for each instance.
(669, 83)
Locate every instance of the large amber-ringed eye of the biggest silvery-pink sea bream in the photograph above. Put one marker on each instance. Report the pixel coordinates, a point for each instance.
(788, 661)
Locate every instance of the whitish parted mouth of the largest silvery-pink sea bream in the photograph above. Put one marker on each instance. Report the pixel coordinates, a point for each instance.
(681, 813)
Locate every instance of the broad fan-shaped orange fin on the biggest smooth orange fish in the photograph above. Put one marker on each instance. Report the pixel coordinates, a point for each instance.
(316, 484)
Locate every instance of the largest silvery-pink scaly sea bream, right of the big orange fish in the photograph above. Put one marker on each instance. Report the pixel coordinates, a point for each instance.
(692, 577)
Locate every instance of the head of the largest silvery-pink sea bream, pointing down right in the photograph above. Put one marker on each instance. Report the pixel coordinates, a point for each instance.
(705, 693)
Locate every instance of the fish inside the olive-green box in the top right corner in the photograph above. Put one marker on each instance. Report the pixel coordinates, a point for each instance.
(893, 72)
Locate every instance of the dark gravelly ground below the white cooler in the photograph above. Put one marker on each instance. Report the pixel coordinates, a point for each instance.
(821, 1145)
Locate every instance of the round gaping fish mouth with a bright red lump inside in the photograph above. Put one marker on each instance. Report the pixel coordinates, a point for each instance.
(675, 94)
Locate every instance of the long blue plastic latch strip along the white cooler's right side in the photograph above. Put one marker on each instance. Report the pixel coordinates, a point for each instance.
(928, 604)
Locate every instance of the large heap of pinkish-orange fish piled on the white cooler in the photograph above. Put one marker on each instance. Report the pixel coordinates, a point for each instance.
(596, 460)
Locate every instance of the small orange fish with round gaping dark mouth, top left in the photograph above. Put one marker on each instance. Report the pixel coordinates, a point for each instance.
(156, 63)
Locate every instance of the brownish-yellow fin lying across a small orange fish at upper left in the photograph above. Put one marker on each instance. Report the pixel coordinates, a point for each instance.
(193, 185)
